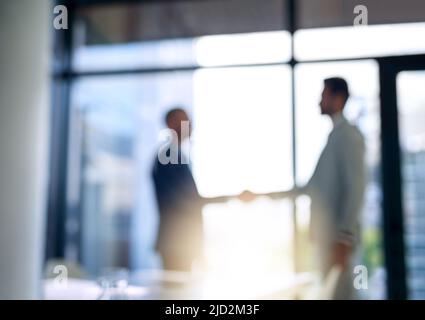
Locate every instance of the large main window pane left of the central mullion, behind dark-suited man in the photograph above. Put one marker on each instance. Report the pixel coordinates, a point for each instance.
(236, 145)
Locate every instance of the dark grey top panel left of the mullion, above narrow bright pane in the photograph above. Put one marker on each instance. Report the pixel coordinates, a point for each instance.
(159, 20)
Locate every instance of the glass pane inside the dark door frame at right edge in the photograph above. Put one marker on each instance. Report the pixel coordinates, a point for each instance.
(411, 104)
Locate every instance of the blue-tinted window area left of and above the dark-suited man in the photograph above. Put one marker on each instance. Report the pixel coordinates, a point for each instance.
(116, 121)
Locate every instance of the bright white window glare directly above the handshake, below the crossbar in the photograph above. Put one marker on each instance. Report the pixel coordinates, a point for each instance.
(242, 136)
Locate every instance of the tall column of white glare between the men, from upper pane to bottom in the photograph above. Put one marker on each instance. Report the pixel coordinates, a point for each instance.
(242, 140)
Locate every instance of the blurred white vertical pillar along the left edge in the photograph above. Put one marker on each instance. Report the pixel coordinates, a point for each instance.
(24, 95)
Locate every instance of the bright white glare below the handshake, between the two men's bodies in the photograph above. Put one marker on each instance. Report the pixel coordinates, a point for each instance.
(248, 247)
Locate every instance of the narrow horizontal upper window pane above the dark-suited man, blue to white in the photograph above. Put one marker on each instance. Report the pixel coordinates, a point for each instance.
(206, 51)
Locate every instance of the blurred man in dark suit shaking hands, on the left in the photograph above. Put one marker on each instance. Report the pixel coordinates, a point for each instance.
(180, 236)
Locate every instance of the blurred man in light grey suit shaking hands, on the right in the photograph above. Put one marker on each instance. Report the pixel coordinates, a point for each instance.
(336, 189)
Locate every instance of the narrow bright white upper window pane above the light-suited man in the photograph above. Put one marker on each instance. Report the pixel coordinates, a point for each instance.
(359, 41)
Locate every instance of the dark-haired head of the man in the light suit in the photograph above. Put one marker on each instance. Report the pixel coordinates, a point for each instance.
(334, 96)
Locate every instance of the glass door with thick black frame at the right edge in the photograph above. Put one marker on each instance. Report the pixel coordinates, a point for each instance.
(403, 117)
